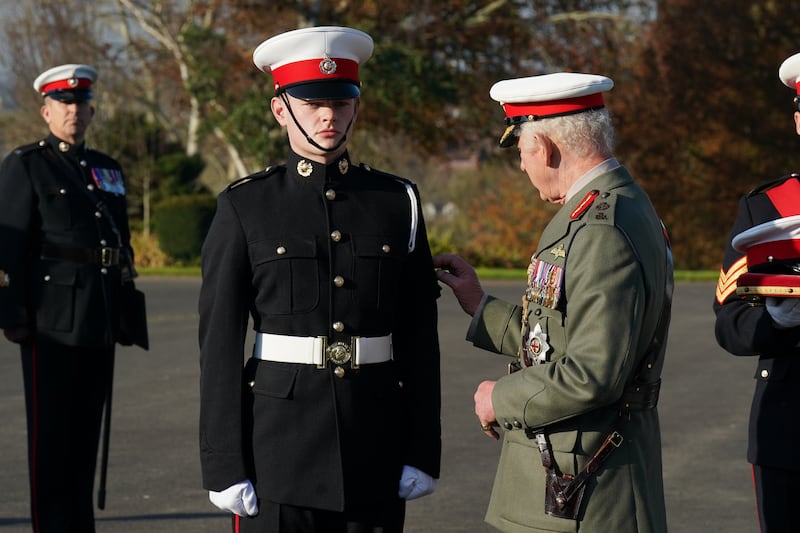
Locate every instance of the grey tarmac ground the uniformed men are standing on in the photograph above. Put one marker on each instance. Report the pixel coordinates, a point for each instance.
(154, 474)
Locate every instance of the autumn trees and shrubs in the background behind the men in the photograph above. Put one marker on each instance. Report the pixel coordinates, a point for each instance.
(700, 113)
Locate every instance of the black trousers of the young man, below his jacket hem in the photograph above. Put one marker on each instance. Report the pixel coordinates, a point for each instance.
(276, 518)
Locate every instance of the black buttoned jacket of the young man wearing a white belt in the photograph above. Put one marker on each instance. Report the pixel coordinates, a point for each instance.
(312, 250)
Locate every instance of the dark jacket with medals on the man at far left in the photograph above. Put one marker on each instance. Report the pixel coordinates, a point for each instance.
(58, 209)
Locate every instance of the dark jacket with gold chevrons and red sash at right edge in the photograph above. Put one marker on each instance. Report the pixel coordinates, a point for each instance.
(745, 328)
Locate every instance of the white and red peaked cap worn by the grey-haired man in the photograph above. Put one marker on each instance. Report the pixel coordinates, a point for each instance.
(546, 96)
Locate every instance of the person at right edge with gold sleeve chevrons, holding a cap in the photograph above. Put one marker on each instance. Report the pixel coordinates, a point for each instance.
(758, 314)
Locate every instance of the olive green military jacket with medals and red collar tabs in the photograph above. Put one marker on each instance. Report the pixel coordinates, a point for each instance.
(597, 285)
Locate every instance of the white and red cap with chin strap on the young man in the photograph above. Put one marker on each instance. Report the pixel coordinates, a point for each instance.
(315, 63)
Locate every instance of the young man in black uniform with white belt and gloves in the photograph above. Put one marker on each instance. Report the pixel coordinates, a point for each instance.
(334, 422)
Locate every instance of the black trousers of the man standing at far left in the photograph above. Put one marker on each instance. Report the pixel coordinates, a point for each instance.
(65, 390)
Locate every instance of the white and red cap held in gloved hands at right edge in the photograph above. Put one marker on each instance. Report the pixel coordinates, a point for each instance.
(772, 250)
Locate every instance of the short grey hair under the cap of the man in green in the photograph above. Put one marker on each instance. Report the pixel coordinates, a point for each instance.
(585, 133)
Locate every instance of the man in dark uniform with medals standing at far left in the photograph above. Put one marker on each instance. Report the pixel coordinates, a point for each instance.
(65, 263)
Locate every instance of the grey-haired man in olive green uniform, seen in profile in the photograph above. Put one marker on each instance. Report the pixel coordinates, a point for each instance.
(582, 448)
